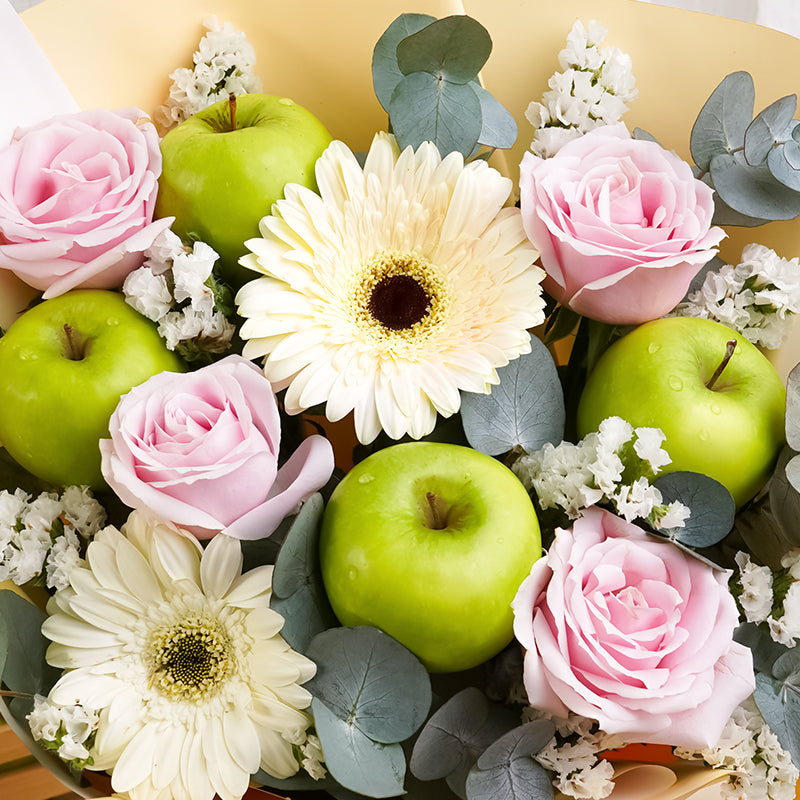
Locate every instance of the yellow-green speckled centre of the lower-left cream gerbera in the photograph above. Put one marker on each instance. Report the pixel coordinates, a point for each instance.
(191, 658)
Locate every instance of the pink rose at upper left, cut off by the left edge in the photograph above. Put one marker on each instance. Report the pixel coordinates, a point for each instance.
(77, 194)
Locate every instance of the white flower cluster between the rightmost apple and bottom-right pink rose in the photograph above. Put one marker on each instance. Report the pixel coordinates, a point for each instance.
(612, 466)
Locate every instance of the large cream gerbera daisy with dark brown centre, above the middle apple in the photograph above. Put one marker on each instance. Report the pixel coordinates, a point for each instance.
(395, 287)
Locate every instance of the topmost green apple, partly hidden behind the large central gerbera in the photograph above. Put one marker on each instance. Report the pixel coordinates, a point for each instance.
(226, 165)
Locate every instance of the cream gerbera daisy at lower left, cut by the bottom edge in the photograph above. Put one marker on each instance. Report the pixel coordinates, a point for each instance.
(180, 654)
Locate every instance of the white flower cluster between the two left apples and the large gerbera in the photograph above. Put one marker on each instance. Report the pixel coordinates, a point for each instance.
(176, 289)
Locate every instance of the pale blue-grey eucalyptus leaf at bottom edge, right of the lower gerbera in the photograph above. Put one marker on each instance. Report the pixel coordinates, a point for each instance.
(357, 762)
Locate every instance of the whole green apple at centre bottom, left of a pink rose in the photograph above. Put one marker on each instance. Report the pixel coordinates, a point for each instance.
(429, 542)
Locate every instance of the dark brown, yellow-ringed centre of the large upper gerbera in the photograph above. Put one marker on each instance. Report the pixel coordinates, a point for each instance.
(398, 297)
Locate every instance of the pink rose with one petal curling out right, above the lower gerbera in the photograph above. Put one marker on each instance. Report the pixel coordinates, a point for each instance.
(200, 449)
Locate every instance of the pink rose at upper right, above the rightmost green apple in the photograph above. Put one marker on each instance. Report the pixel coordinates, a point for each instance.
(622, 225)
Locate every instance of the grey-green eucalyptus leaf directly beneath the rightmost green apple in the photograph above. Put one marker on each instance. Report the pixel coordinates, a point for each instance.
(712, 507)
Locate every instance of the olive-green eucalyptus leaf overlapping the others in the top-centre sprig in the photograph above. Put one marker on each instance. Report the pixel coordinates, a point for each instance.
(453, 49)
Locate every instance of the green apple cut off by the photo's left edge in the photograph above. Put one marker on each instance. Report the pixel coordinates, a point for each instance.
(63, 366)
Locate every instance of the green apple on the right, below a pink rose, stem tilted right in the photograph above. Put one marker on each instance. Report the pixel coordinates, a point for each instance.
(660, 375)
